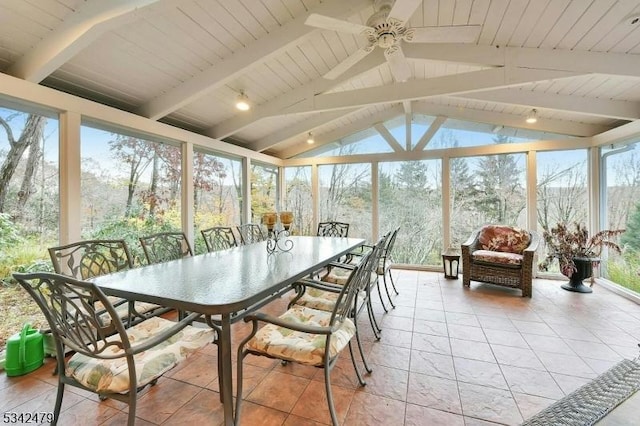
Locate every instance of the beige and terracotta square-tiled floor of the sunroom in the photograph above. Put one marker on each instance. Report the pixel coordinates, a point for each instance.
(448, 356)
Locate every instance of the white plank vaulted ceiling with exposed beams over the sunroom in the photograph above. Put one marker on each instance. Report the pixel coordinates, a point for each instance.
(184, 62)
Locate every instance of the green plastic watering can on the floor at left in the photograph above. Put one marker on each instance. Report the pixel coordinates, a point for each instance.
(25, 352)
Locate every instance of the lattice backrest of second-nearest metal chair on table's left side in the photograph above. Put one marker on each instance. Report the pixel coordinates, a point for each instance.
(91, 258)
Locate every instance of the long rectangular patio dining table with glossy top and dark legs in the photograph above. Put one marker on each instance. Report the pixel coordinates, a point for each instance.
(226, 284)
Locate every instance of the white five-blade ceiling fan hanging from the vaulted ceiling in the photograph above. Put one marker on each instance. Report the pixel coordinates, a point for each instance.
(385, 28)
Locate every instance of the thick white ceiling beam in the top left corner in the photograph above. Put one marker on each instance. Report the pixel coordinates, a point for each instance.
(76, 32)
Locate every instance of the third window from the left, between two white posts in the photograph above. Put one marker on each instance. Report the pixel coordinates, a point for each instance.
(217, 193)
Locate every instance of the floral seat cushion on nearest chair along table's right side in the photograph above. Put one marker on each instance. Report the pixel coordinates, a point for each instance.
(304, 348)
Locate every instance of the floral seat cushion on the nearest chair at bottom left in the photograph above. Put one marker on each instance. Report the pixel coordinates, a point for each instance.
(112, 375)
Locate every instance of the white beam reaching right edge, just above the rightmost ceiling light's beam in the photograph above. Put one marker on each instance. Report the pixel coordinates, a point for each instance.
(623, 110)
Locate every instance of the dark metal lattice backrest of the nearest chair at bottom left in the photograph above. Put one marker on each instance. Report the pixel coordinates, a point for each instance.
(69, 307)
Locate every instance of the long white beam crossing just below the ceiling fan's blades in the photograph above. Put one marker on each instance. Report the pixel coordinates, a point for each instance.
(419, 89)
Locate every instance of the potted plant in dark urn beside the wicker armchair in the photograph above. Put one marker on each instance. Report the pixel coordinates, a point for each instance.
(576, 252)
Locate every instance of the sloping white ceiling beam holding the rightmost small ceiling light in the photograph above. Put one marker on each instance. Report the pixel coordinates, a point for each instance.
(509, 120)
